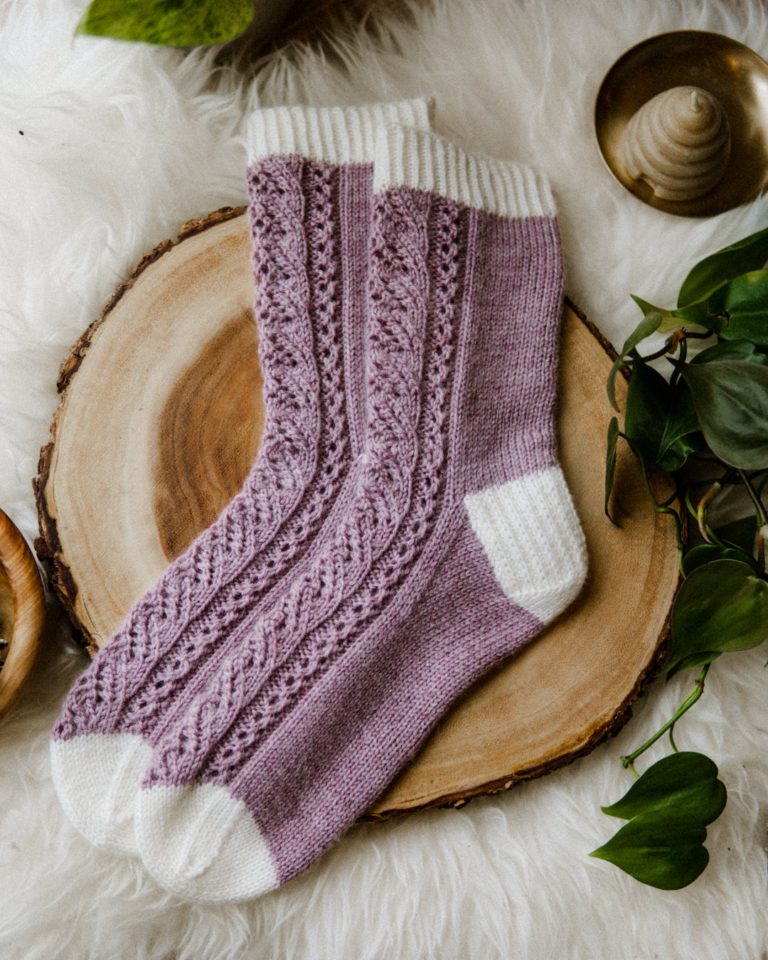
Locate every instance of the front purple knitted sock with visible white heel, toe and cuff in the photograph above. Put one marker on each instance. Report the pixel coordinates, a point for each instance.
(461, 540)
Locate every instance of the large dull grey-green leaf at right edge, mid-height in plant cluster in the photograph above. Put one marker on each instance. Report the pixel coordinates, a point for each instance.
(731, 401)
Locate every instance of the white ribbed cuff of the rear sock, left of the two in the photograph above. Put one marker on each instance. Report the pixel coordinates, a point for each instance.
(330, 134)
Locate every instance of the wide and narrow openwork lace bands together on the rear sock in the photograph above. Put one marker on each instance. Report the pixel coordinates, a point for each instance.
(292, 205)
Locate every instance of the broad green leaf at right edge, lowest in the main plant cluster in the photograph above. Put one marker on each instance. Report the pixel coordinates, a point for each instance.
(721, 607)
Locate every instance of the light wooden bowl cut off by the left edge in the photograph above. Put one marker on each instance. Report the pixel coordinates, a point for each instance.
(22, 611)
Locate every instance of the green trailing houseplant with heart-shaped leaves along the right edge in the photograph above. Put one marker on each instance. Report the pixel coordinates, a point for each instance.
(707, 425)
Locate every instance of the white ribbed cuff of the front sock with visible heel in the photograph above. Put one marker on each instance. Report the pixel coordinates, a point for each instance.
(424, 161)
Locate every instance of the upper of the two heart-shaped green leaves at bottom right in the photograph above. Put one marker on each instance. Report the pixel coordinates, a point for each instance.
(683, 783)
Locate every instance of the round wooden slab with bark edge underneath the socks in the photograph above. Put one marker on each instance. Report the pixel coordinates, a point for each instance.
(159, 422)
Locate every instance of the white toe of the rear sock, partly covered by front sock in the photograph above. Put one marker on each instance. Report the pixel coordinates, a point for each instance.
(97, 778)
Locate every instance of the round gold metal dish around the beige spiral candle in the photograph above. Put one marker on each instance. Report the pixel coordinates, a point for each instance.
(728, 70)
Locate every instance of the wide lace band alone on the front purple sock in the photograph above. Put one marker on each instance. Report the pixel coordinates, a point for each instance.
(398, 299)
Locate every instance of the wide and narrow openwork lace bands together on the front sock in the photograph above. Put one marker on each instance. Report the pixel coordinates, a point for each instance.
(407, 399)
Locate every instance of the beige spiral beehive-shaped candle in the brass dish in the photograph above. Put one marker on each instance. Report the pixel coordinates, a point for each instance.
(679, 143)
